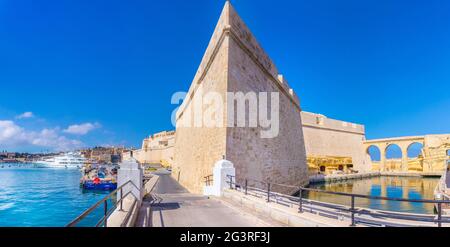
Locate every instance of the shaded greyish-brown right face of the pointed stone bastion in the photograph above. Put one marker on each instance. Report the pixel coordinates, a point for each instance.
(277, 160)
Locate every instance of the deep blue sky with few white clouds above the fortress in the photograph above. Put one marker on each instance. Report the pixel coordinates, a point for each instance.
(109, 68)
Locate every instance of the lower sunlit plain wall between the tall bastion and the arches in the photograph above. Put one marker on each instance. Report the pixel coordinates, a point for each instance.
(330, 137)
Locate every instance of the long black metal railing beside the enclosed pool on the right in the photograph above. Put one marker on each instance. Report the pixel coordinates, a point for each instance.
(265, 189)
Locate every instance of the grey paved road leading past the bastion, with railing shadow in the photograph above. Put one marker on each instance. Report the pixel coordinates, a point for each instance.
(174, 206)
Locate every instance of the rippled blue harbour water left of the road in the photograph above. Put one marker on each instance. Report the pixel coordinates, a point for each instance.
(44, 197)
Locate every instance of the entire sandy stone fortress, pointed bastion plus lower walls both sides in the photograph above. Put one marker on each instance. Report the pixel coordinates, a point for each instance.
(235, 62)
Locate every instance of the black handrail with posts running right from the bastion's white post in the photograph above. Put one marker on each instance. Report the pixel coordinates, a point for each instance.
(353, 210)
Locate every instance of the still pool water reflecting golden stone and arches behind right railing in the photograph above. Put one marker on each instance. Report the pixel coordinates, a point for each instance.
(398, 187)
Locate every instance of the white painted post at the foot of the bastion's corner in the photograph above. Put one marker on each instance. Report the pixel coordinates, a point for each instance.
(222, 169)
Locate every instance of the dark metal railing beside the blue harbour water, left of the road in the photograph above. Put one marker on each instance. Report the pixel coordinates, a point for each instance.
(106, 211)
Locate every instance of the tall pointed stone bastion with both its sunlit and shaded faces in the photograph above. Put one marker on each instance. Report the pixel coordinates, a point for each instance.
(234, 62)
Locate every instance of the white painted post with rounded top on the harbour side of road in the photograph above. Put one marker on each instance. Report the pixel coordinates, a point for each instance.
(130, 170)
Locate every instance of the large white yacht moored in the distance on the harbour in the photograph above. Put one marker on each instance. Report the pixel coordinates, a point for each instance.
(67, 161)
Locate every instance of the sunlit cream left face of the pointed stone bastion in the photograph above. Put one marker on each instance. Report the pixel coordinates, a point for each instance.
(197, 149)
